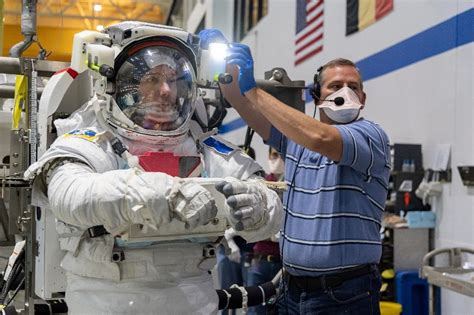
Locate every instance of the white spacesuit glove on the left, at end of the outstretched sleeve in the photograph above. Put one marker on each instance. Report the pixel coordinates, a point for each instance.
(192, 204)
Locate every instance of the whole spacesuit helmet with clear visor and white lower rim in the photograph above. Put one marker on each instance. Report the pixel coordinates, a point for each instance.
(155, 90)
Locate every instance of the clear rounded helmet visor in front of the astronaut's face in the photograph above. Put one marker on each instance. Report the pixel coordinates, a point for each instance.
(156, 88)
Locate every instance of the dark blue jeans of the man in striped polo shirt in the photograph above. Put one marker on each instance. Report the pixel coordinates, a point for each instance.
(355, 296)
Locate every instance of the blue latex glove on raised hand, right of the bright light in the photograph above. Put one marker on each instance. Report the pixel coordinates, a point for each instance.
(239, 55)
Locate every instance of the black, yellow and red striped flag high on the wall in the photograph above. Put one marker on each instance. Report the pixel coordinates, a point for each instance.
(362, 13)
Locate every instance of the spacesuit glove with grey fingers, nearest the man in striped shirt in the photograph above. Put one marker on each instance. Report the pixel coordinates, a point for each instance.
(247, 202)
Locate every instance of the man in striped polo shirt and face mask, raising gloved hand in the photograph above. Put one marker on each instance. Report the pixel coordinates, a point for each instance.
(337, 170)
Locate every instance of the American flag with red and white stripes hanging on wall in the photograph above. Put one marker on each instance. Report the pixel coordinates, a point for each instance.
(309, 29)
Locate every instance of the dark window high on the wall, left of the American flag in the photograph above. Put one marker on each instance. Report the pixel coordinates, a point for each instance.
(247, 13)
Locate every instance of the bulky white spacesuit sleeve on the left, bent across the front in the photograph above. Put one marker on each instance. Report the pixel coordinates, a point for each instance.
(81, 197)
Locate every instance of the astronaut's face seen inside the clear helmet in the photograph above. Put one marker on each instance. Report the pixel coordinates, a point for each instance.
(158, 97)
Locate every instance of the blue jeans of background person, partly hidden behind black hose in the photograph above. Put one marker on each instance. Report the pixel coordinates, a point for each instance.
(261, 271)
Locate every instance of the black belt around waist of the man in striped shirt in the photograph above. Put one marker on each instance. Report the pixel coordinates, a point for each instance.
(309, 284)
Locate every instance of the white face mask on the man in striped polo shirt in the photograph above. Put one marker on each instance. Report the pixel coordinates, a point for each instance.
(346, 112)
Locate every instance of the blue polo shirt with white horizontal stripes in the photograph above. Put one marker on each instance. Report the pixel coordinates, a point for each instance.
(333, 212)
